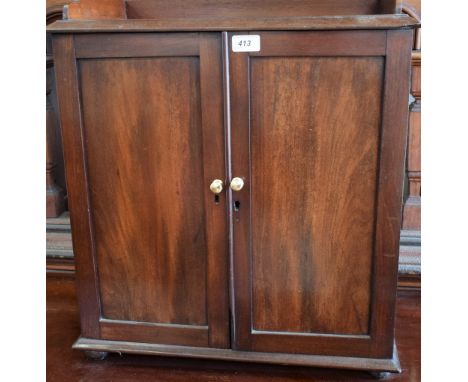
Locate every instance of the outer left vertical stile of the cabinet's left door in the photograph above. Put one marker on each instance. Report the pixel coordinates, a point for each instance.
(77, 182)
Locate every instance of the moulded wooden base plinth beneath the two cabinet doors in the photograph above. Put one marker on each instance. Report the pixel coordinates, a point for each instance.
(352, 363)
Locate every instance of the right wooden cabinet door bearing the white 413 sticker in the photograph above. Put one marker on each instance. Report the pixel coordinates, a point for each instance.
(318, 135)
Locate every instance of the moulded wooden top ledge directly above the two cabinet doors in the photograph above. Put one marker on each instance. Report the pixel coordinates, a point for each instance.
(236, 24)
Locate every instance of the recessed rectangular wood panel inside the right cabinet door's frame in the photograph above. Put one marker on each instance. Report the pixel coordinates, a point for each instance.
(315, 126)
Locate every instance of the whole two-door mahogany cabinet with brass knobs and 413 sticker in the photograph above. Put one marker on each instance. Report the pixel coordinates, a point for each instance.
(236, 205)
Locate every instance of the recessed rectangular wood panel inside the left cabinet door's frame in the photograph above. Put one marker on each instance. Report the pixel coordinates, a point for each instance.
(144, 145)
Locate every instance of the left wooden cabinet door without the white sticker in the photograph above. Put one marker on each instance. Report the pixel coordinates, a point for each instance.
(142, 120)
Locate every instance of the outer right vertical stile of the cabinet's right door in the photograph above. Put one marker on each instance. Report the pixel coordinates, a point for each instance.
(389, 207)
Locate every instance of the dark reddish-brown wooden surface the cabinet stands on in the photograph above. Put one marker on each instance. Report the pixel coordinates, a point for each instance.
(65, 364)
